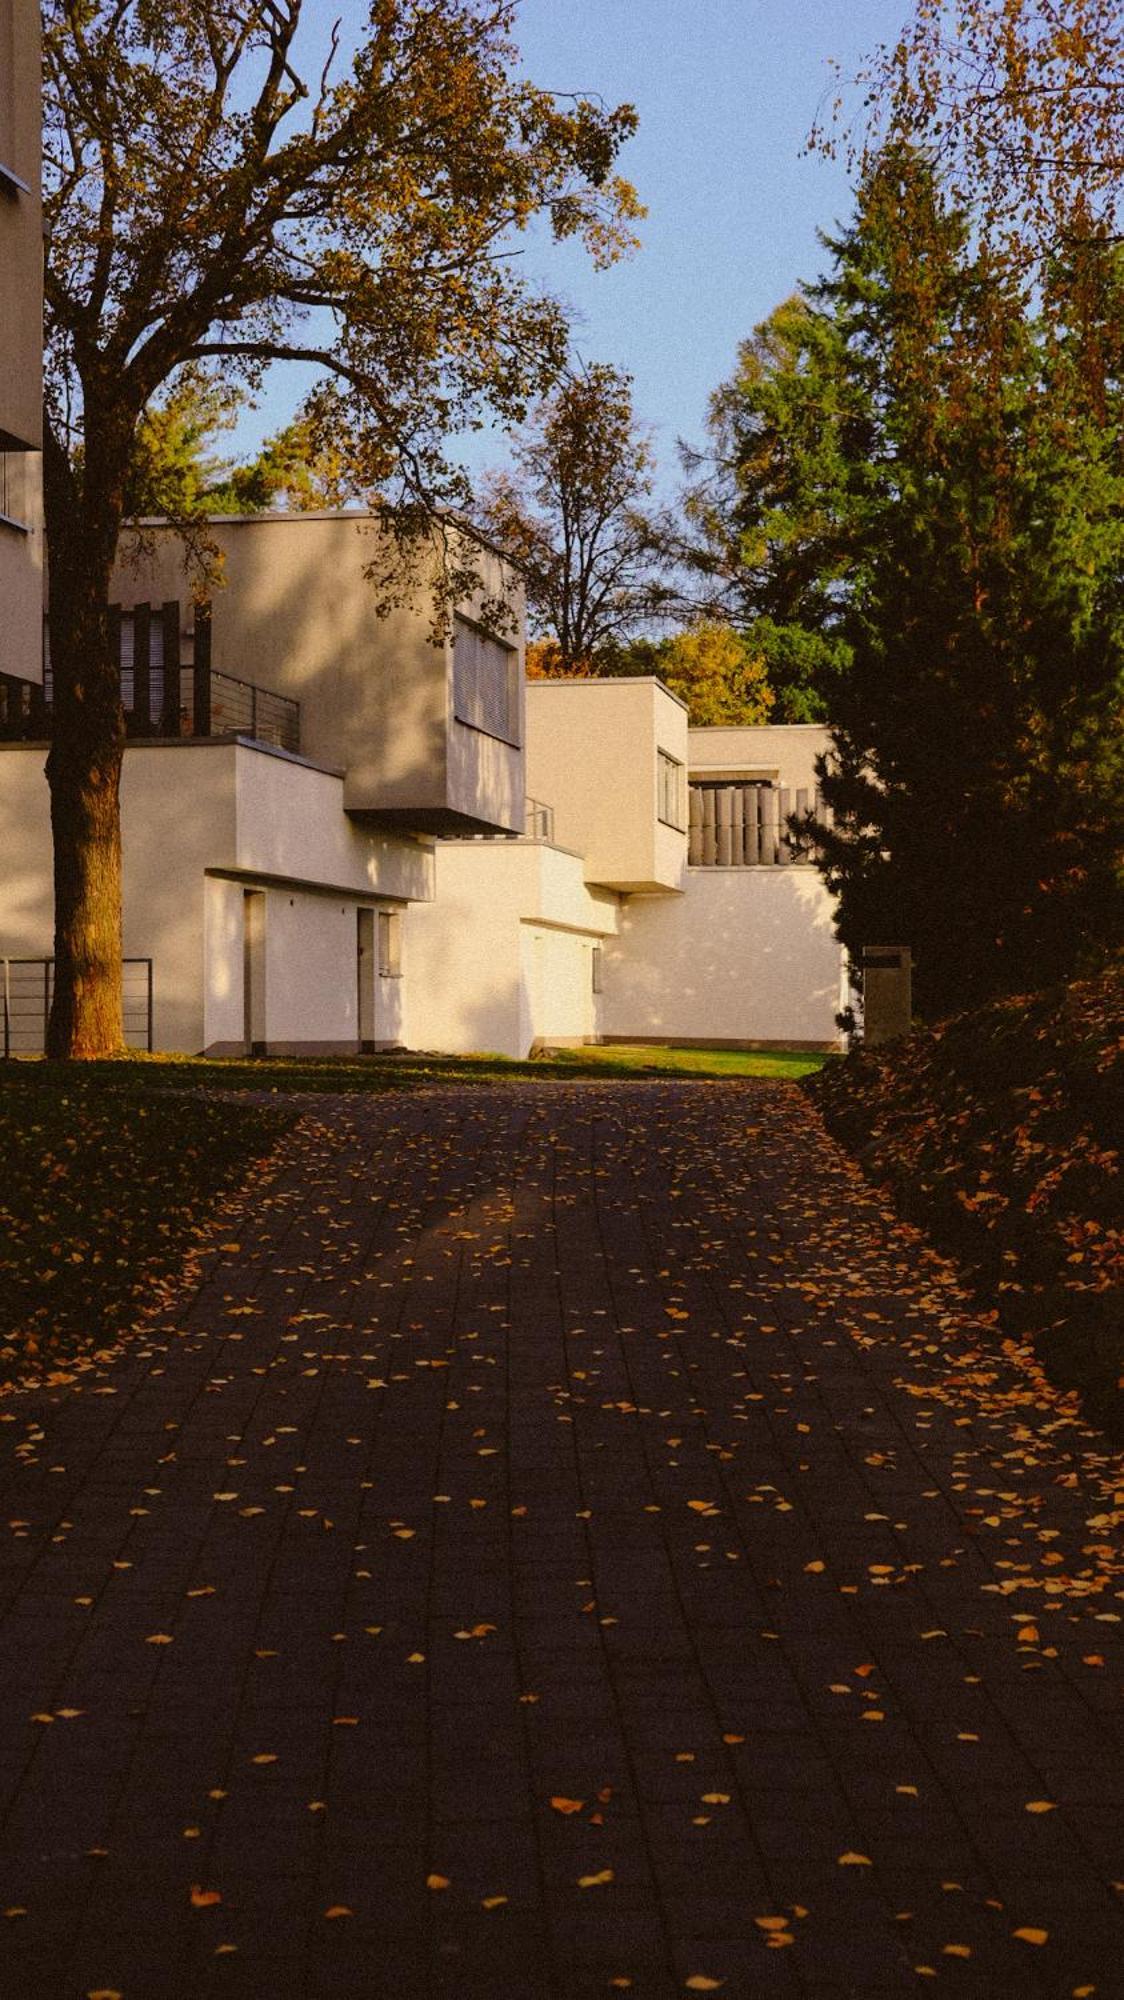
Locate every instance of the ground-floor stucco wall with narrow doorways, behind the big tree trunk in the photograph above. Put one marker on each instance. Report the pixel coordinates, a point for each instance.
(203, 823)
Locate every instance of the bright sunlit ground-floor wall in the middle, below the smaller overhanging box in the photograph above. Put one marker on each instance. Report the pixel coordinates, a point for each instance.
(503, 957)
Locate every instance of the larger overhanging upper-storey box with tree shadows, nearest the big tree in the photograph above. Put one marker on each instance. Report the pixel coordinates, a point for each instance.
(425, 727)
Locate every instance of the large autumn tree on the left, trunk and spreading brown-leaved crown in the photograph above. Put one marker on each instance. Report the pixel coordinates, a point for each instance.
(205, 205)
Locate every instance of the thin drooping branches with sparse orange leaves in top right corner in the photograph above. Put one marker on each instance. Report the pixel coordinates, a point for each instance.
(1021, 109)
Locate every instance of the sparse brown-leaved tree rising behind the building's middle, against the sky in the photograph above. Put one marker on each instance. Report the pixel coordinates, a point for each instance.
(575, 517)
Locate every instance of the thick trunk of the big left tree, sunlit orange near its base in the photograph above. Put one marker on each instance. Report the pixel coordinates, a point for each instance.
(87, 749)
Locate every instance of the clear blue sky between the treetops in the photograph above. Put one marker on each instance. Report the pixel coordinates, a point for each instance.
(727, 93)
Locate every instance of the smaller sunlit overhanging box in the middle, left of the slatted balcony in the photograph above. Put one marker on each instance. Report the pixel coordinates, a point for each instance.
(611, 759)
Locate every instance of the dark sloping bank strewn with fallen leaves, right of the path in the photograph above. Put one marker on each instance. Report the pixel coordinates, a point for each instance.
(999, 1135)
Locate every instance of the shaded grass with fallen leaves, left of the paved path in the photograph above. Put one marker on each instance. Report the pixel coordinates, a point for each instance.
(99, 1201)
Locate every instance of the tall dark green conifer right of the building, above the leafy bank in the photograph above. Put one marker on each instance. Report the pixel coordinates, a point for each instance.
(975, 527)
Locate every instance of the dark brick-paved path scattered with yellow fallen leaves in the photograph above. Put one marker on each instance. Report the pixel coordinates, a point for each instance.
(565, 1543)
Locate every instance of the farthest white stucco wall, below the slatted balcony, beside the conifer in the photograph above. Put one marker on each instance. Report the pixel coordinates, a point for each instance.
(745, 955)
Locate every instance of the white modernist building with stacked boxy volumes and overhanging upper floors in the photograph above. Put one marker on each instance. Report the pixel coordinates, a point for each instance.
(347, 833)
